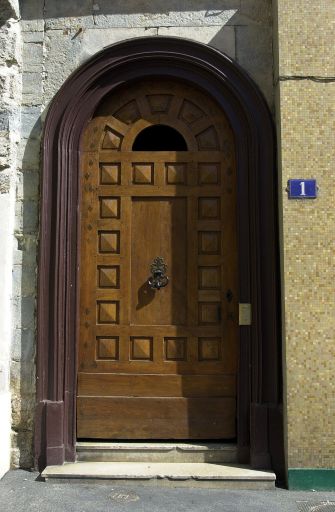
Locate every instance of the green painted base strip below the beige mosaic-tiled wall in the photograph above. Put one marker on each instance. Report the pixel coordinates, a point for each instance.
(301, 479)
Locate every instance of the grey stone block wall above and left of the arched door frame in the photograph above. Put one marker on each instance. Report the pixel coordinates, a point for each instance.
(58, 36)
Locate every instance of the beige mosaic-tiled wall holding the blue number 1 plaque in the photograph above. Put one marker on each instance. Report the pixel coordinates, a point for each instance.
(306, 125)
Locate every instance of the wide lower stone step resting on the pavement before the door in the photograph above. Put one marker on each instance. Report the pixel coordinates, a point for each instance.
(228, 476)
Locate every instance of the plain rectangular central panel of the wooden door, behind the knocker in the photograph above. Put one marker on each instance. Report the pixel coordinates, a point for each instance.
(158, 229)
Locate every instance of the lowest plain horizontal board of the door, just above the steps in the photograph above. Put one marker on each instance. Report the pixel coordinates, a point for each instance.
(155, 418)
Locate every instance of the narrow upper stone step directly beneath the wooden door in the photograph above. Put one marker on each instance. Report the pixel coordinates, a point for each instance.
(156, 452)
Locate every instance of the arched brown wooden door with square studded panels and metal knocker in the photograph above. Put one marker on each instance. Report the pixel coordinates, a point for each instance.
(158, 364)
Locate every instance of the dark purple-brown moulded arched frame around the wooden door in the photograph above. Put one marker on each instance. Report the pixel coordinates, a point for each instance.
(259, 416)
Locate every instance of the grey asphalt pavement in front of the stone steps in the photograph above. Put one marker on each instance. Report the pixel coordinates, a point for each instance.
(21, 491)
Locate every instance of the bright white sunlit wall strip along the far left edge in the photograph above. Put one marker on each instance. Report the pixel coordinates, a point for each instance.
(10, 97)
